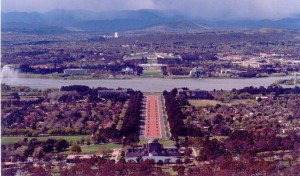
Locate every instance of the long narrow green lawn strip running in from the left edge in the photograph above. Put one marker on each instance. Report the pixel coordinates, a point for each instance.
(15, 139)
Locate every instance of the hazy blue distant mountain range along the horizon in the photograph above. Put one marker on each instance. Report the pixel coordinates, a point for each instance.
(124, 21)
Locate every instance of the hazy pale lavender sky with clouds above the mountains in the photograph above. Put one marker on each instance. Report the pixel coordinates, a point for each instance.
(253, 9)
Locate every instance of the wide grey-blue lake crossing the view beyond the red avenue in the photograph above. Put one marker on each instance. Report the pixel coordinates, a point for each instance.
(149, 84)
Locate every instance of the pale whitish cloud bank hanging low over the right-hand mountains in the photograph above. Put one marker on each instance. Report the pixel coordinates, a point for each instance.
(235, 9)
